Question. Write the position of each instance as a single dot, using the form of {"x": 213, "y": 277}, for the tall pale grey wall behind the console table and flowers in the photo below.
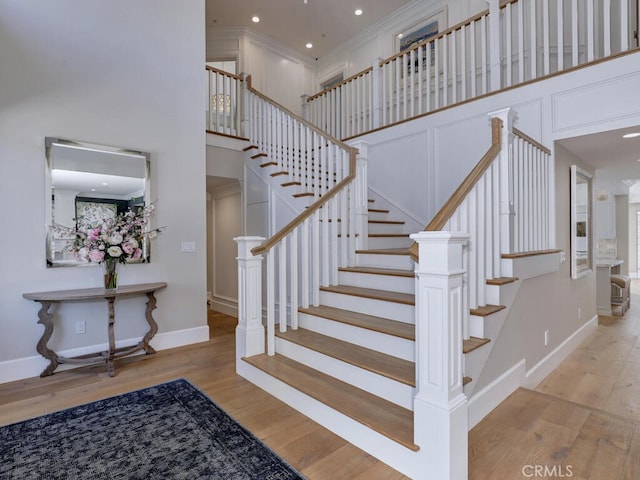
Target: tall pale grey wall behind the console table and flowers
{"x": 116, "y": 73}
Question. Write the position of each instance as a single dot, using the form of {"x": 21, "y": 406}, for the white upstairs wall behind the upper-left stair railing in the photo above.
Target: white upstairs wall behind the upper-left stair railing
{"x": 276, "y": 71}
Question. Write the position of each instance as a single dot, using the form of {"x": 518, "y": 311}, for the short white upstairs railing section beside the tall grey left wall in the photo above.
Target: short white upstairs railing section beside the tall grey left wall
{"x": 224, "y": 102}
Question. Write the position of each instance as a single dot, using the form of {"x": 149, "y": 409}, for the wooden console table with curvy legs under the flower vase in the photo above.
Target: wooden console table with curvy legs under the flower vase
{"x": 47, "y": 299}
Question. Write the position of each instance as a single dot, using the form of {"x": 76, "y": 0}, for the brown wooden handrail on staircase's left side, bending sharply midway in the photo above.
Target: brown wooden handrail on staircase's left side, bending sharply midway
{"x": 315, "y": 206}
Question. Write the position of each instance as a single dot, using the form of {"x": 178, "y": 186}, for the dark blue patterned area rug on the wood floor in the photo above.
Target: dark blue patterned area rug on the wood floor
{"x": 170, "y": 431}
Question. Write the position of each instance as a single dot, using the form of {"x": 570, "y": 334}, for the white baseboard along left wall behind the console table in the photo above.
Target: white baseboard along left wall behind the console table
{"x": 32, "y": 366}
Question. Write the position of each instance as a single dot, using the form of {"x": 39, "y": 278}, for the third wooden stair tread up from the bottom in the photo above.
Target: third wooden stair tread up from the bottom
{"x": 362, "y": 320}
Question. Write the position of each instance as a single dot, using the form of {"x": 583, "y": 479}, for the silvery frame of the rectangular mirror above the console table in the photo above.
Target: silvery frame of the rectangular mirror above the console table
{"x": 97, "y": 148}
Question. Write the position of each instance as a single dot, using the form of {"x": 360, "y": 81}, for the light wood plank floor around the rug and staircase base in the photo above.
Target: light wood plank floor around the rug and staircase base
{"x": 582, "y": 422}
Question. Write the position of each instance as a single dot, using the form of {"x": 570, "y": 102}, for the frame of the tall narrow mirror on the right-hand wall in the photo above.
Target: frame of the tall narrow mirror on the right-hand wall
{"x": 581, "y": 268}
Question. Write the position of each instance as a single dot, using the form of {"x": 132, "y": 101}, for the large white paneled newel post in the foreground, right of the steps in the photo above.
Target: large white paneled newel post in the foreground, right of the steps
{"x": 440, "y": 405}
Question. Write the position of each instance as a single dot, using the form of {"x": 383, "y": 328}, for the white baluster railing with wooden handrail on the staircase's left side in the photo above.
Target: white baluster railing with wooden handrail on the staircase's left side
{"x": 306, "y": 253}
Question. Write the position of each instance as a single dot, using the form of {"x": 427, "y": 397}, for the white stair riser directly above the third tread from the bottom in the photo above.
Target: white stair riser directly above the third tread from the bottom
{"x": 369, "y": 306}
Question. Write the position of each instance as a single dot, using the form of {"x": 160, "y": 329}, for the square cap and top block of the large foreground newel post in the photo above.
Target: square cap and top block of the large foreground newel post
{"x": 440, "y": 252}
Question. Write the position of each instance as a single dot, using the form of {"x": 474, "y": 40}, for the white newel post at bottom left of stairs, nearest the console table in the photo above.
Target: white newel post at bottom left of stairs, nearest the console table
{"x": 250, "y": 331}
